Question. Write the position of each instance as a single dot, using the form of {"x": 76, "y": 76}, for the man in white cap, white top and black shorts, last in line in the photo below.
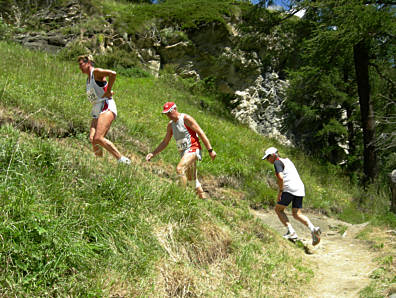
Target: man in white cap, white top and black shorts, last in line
{"x": 291, "y": 189}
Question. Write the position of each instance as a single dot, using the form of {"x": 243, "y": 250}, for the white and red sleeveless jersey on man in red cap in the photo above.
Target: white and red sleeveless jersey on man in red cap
{"x": 186, "y": 138}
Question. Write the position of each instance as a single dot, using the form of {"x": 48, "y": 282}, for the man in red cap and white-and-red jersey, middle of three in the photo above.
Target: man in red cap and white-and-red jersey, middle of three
{"x": 185, "y": 130}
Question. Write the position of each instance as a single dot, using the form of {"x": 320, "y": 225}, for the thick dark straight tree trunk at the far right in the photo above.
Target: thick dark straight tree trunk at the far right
{"x": 361, "y": 59}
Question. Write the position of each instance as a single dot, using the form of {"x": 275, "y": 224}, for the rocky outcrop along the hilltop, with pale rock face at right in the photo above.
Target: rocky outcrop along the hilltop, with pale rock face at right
{"x": 213, "y": 50}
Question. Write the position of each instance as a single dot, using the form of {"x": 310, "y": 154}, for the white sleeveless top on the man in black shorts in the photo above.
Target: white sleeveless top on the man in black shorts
{"x": 292, "y": 182}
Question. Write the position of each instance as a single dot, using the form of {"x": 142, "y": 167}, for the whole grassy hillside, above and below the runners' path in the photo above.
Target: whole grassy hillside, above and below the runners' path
{"x": 75, "y": 225}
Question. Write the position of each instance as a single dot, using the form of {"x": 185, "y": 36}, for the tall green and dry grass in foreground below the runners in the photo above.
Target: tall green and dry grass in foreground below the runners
{"x": 72, "y": 225}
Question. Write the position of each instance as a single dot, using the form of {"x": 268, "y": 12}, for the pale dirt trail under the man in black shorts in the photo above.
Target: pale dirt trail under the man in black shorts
{"x": 342, "y": 264}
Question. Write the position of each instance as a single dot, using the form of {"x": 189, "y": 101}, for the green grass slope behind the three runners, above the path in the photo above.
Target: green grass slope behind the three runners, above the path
{"x": 53, "y": 90}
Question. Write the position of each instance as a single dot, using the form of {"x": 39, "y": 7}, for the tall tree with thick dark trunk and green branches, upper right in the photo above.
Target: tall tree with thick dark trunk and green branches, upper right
{"x": 358, "y": 31}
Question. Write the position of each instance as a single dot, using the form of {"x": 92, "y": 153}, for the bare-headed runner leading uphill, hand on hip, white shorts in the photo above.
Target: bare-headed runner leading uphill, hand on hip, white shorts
{"x": 104, "y": 109}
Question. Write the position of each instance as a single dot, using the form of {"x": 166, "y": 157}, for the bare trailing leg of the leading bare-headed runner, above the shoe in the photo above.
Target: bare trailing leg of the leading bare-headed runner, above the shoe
{"x": 103, "y": 125}
